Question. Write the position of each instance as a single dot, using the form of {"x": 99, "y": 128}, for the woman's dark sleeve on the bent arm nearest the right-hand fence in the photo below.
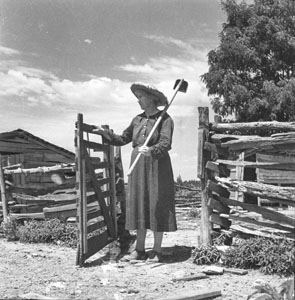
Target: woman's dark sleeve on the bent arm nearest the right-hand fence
{"x": 164, "y": 144}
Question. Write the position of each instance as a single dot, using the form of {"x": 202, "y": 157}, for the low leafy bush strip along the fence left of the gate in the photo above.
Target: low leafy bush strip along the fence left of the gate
{"x": 48, "y": 231}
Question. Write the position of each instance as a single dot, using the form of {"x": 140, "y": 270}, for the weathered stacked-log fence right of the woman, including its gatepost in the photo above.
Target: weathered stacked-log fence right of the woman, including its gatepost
{"x": 256, "y": 148}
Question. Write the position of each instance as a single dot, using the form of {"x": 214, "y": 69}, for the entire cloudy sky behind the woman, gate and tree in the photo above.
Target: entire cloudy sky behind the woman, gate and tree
{"x": 59, "y": 58}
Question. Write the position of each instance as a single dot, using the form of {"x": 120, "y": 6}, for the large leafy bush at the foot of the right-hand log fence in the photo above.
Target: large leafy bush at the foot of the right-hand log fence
{"x": 270, "y": 256}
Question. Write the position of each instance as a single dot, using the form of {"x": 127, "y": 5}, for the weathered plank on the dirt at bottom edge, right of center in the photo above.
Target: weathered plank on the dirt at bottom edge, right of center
{"x": 193, "y": 295}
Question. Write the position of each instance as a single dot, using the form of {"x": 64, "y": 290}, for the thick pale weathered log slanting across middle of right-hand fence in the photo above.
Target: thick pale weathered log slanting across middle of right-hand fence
{"x": 284, "y": 195}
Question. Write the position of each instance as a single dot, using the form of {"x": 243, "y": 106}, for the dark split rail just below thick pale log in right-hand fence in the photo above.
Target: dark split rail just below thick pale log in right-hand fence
{"x": 266, "y": 213}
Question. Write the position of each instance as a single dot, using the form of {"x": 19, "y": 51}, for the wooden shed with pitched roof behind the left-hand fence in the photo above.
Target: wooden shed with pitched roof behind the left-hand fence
{"x": 22, "y": 147}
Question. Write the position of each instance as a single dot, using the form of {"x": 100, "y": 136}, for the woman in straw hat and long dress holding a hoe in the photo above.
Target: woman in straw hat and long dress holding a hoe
{"x": 150, "y": 202}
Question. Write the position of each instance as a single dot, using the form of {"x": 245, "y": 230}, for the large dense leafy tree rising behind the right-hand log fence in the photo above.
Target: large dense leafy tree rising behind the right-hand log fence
{"x": 252, "y": 72}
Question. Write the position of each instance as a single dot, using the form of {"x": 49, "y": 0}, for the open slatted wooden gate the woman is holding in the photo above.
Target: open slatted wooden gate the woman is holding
{"x": 96, "y": 204}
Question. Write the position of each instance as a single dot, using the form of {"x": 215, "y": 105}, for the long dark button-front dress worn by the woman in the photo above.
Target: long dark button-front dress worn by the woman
{"x": 150, "y": 201}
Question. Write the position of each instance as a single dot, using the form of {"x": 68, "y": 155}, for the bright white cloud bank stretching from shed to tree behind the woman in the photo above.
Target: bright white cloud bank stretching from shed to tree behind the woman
{"x": 46, "y": 105}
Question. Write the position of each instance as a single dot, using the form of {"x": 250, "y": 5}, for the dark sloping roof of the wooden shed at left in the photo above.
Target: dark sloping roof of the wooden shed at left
{"x": 21, "y": 141}
